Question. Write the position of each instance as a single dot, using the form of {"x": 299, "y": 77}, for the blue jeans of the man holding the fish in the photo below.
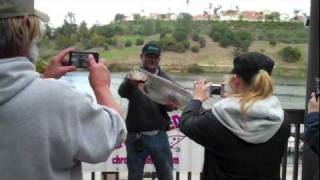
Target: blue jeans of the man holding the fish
{"x": 157, "y": 146}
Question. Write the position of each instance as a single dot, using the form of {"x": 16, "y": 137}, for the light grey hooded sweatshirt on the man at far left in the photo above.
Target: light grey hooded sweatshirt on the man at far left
{"x": 47, "y": 128}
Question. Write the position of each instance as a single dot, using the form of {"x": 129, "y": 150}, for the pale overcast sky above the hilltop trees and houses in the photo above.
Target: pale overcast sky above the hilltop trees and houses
{"x": 103, "y": 11}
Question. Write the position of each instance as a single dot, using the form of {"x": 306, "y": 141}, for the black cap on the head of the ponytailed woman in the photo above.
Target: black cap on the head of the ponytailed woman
{"x": 248, "y": 65}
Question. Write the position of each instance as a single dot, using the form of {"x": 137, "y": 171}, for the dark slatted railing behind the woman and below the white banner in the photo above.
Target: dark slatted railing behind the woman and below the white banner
{"x": 296, "y": 117}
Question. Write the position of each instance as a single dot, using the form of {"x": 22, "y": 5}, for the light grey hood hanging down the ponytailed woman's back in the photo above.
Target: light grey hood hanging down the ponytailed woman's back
{"x": 262, "y": 120}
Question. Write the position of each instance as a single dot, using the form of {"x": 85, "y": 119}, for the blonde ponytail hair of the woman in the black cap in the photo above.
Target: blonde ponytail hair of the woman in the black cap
{"x": 260, "y": 88}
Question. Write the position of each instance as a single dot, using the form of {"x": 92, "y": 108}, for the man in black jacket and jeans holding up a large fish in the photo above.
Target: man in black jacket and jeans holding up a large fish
{"x": 147, "y": 121}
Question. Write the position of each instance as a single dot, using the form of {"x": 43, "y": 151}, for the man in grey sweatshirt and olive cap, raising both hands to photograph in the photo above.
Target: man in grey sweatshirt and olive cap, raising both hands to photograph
{"x": 46, "y": 127}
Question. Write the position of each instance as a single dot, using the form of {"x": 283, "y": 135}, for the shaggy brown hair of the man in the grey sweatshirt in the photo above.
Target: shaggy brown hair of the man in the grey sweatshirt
{"x": 17, "y": 34}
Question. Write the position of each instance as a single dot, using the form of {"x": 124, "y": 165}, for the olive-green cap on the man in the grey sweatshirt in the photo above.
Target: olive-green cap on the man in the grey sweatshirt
{"x": 16, "y": 8}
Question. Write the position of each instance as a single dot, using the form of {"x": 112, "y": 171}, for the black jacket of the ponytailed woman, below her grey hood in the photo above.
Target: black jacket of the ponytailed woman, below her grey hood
{"x": 228, "y": 157}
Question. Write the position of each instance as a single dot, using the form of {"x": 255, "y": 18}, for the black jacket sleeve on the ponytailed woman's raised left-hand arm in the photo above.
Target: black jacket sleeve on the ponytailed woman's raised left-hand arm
{"x": 198, "y": 124}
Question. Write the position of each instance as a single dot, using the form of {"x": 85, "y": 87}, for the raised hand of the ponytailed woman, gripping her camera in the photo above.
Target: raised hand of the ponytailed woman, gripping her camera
{"x": 201, "y": 90}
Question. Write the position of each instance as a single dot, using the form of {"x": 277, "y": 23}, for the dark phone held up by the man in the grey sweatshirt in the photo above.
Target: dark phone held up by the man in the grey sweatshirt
{"x": 79, "y": 59}
